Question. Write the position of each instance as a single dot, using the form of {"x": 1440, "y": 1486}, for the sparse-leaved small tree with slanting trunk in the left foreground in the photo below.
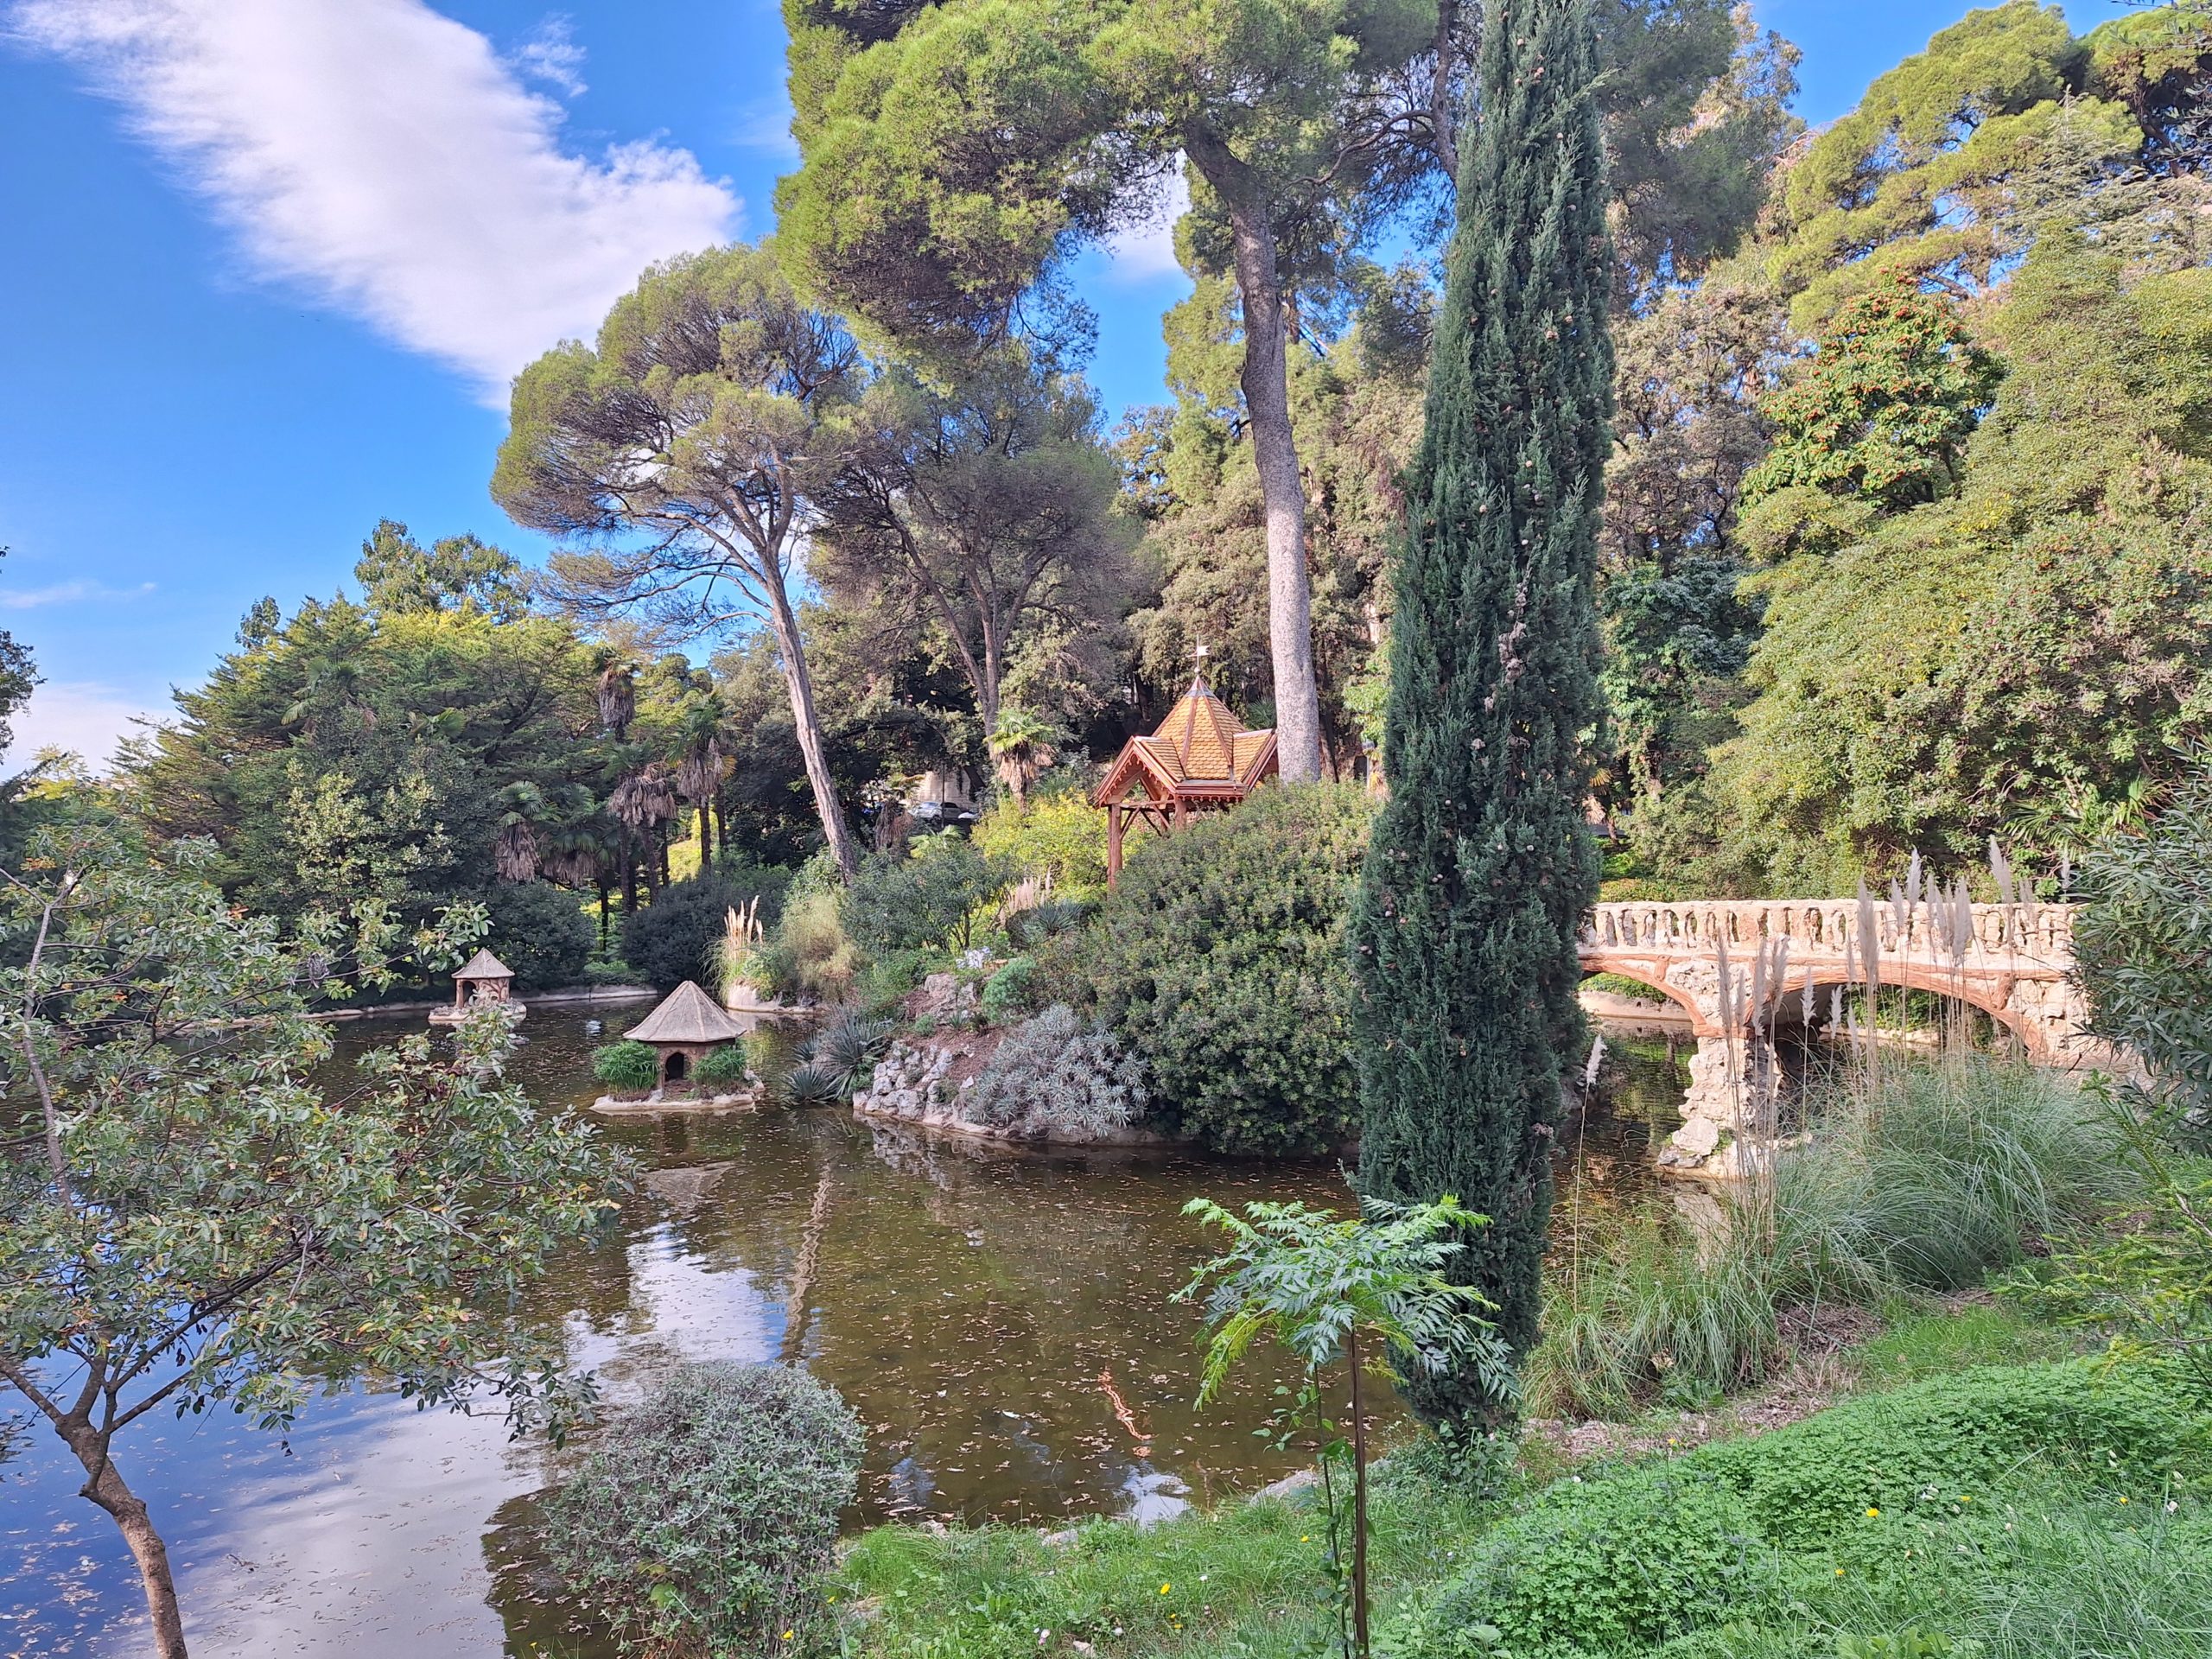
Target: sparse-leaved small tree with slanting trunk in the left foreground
{"x": 194, "y": 1222}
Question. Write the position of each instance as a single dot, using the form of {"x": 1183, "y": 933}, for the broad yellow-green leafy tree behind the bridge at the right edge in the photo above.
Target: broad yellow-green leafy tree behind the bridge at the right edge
{"x": 2023, "y": 656}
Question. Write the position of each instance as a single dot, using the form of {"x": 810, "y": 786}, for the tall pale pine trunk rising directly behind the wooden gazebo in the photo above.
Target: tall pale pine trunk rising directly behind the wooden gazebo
{"x": 1275, "y": 452}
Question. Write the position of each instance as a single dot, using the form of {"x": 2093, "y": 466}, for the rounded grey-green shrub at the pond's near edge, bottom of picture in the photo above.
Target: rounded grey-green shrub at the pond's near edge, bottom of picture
{"x": 707, "y": 1516}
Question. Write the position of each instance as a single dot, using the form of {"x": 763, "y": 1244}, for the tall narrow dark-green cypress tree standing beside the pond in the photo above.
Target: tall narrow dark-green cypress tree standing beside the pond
{"x": 1481, "y": 864}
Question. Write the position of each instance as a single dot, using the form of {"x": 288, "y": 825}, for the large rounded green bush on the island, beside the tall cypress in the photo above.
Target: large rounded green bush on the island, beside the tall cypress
{"x": 1222, "y": 961}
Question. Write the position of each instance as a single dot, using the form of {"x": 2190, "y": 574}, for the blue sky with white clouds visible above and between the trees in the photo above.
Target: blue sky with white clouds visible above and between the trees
{"x": 271, "y": 262}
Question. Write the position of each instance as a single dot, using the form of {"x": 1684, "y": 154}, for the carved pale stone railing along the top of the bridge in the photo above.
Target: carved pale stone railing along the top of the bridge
{"x": 1828, "y": 930}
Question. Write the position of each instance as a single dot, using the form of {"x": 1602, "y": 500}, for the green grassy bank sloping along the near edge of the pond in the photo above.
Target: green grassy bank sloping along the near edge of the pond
{"x": 2027, "y": 1512}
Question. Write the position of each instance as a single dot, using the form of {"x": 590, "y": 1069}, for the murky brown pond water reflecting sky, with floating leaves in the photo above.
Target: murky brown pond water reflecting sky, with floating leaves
{"x": 1003, "y": 1324}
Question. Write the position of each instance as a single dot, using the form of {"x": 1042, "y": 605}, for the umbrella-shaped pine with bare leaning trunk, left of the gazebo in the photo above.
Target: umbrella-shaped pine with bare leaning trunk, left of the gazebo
{"x": 707, "y": 424}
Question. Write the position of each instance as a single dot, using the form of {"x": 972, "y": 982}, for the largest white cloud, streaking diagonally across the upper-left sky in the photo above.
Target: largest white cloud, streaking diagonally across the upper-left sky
{"x": 386, "y": 158}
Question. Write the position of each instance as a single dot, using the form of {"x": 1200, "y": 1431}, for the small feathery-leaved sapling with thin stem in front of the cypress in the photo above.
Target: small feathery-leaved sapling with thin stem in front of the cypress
{"x": 1361, "y": 1293}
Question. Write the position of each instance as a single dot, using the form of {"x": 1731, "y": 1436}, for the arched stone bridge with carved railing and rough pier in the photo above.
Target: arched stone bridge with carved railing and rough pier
{"x": 1740, "y": 972}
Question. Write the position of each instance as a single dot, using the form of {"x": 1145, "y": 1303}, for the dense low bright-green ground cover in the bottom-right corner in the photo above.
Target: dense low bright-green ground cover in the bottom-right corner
{"x": 1791, "y": 1530}
